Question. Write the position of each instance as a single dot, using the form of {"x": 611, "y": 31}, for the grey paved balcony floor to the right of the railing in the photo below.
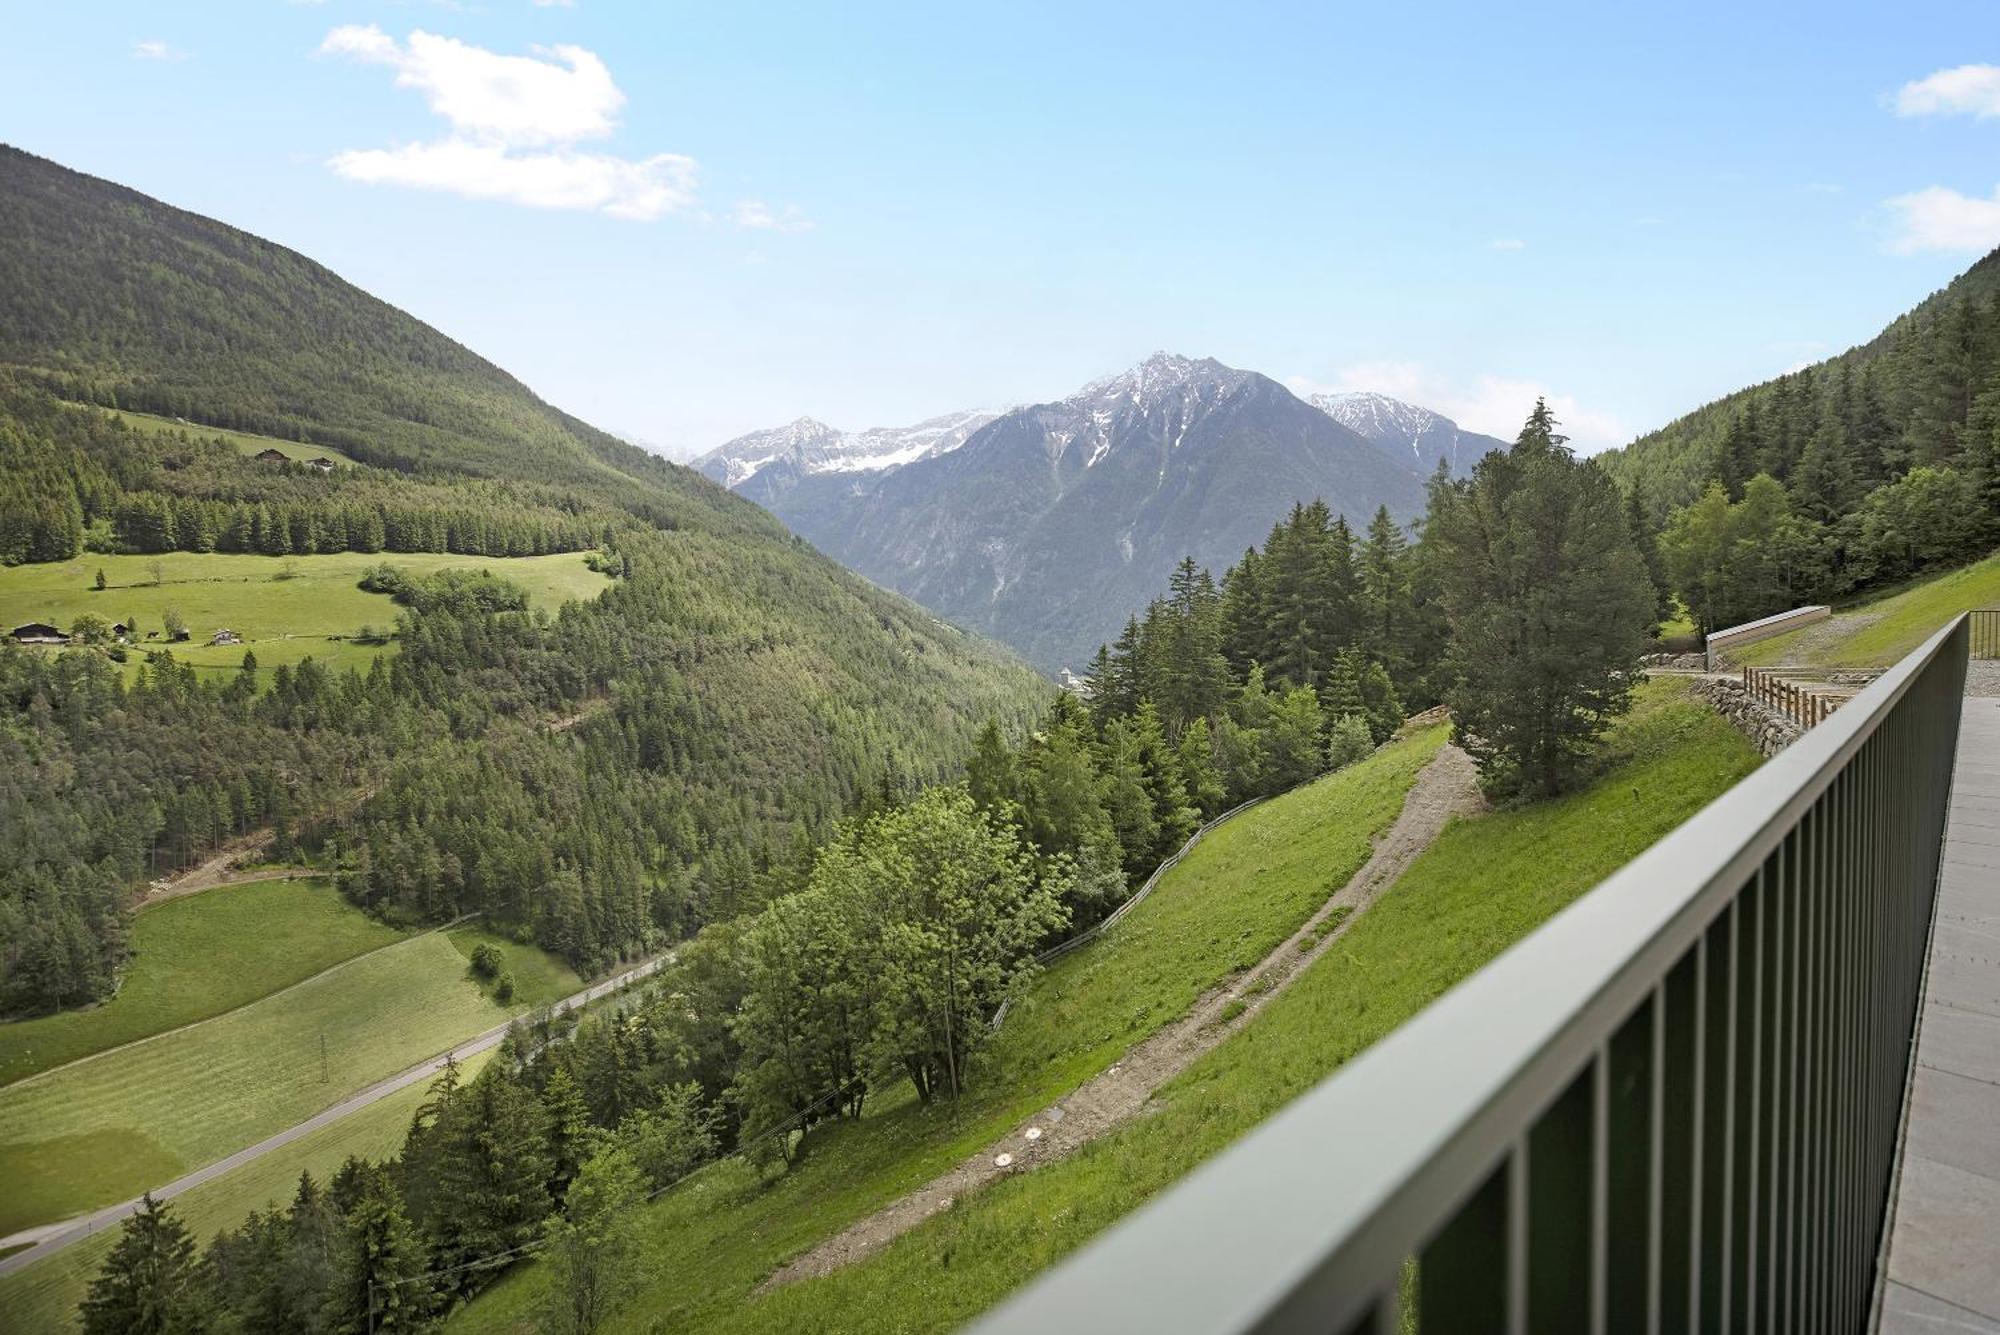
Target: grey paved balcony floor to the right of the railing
{"x": 1945, "y": 1240}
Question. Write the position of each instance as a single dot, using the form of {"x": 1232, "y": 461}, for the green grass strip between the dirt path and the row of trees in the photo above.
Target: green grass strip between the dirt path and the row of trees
{"x": 1229, "y": 904}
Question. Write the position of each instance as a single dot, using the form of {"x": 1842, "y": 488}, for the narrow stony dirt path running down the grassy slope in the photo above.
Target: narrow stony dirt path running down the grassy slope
{"x": 1447, "y": 786}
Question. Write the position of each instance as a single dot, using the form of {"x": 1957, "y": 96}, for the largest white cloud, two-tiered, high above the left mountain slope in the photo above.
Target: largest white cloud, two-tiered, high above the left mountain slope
{"x": 515, "y": 125}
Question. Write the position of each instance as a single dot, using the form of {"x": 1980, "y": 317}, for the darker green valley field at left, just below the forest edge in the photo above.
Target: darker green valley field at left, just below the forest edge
{"x": 273, "y": 934}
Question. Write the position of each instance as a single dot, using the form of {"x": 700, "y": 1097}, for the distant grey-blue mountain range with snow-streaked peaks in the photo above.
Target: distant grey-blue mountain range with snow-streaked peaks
{"x": 1049, "y": 525}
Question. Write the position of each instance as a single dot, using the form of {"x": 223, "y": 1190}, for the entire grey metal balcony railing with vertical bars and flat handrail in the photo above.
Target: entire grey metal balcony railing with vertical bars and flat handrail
{"x": 1673, "y": 1108}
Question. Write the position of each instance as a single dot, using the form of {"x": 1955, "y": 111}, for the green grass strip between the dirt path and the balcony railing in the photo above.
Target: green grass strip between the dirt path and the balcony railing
{"x": 1483, "y": 886}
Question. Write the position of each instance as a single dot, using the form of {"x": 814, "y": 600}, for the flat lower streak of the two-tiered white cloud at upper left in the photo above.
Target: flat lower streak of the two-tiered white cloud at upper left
{"x": 591, "y": 183}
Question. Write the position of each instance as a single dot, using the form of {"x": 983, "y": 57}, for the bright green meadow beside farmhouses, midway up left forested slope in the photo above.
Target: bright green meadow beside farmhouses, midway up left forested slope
{"x": 285, "y": 607}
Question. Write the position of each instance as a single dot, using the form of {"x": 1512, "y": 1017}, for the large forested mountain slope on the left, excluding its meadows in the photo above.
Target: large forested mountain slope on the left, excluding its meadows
{"x": 729, "y": 698}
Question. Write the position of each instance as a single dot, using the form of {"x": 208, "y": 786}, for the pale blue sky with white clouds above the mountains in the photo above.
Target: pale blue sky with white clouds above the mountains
{"x": 685, "y": 223}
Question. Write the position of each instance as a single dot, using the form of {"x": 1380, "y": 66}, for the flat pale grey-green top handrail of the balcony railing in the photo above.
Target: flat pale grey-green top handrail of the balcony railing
{"x": 1297, "y": 1224}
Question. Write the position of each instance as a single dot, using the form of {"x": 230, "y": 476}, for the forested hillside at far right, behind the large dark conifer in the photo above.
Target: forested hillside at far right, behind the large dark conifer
{"x": 1839, "y": 479}
